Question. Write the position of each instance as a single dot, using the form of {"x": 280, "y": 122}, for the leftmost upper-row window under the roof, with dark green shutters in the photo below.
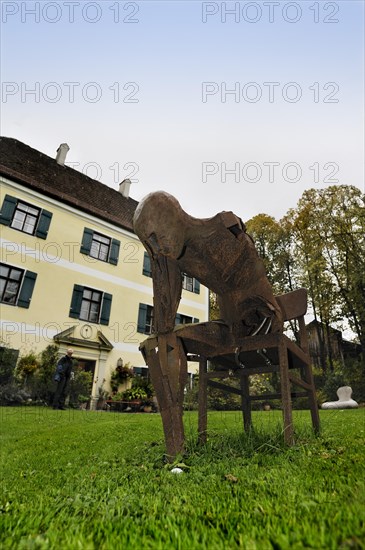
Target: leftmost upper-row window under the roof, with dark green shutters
{"x": 25, "y": 217}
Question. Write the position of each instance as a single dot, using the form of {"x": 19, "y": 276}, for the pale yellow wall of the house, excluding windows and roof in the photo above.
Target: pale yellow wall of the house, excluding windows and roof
{"x": 59, "y": 266}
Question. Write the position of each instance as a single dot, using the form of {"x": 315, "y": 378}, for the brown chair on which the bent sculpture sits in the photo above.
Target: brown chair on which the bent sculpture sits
{"x": 261, "y": 354}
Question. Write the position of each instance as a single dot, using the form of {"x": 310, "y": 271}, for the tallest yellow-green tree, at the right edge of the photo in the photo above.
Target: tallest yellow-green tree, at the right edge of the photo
{"x": 329, "y": 229}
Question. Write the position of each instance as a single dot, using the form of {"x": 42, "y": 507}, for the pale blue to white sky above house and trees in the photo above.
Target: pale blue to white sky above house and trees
{"x": 226, "y": 105}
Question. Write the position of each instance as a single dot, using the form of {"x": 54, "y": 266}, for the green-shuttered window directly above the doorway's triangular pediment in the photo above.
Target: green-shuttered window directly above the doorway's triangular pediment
{"x": 90, "y": 305}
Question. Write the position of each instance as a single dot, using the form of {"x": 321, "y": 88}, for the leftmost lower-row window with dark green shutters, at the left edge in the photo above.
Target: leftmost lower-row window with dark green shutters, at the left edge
{"x": 16, "y": 285}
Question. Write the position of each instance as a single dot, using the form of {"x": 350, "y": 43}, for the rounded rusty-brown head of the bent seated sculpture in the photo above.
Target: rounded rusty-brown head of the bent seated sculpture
{"x": 160, "y": 223}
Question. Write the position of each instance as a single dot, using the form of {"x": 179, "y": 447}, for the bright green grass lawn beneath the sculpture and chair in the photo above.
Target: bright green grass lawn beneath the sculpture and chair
{"x": 98, "y": 480}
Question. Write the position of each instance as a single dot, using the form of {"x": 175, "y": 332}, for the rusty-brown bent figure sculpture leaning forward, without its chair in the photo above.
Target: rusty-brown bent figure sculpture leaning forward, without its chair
{"x": 222, "y": 256}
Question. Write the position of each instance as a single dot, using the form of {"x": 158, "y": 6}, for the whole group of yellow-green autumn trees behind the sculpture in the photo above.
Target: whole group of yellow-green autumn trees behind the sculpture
{"x": 320, "y": 245}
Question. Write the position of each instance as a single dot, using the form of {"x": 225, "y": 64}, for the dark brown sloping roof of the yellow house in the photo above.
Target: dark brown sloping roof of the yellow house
{"x": 42, "y": 173}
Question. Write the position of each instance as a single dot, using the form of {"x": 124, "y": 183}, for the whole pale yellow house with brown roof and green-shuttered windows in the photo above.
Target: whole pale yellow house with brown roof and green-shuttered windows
{"x": 72, "y": 270}
